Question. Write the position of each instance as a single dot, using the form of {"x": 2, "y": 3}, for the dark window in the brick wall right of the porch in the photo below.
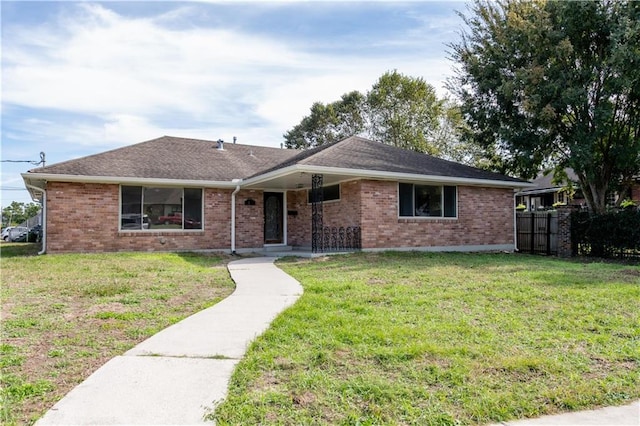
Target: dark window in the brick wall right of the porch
{"x": 427, "y": 200}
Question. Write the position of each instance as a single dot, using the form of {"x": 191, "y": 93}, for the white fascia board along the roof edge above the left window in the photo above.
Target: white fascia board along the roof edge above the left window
{"x": 46, "y": 177}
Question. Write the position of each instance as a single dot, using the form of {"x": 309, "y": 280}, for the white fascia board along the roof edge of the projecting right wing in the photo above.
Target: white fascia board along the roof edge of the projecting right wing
{"x": 376, "y": 174}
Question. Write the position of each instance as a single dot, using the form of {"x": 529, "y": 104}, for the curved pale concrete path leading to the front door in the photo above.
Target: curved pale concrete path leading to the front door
{"x": 177, "y": 375}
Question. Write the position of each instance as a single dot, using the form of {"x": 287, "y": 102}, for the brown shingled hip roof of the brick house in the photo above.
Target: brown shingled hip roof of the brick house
{"x": 192, "y": 161}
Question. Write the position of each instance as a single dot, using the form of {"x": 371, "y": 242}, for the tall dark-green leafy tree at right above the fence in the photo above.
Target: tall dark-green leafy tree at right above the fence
{"x": 552, "y": 84}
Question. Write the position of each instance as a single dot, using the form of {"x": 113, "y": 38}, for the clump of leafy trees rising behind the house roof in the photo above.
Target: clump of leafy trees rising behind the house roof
{"x": 398, "y": 110}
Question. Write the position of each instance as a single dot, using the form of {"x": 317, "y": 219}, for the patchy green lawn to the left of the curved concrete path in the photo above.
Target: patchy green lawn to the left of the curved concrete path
{"x": 63, "y": 316}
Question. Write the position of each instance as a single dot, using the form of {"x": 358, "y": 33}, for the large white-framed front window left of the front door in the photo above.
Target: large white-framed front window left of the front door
{"x": 160, "y": 208}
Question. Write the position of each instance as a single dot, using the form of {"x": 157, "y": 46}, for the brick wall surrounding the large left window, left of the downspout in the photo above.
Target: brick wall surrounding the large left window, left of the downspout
{"x": 85, "y": 218}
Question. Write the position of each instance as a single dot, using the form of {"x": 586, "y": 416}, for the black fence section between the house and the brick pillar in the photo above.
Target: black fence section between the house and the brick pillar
{"x": 537, "y": 232}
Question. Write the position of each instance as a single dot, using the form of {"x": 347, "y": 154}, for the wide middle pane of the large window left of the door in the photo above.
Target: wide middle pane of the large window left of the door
{"x": 163, "y": 206}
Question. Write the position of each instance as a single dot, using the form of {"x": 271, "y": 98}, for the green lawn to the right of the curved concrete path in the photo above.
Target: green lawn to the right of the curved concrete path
{"x": 439, "y": 339}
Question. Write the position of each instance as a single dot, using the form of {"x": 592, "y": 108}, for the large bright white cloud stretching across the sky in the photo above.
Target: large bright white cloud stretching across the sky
{"x": 138, "y": 76}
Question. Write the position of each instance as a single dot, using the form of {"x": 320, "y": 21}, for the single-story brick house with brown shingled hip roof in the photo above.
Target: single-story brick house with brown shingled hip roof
{"x": 171, "y": 194}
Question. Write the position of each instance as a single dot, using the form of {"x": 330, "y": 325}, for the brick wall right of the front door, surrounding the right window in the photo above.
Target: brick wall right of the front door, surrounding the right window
{"x": 485, "y": 217}
